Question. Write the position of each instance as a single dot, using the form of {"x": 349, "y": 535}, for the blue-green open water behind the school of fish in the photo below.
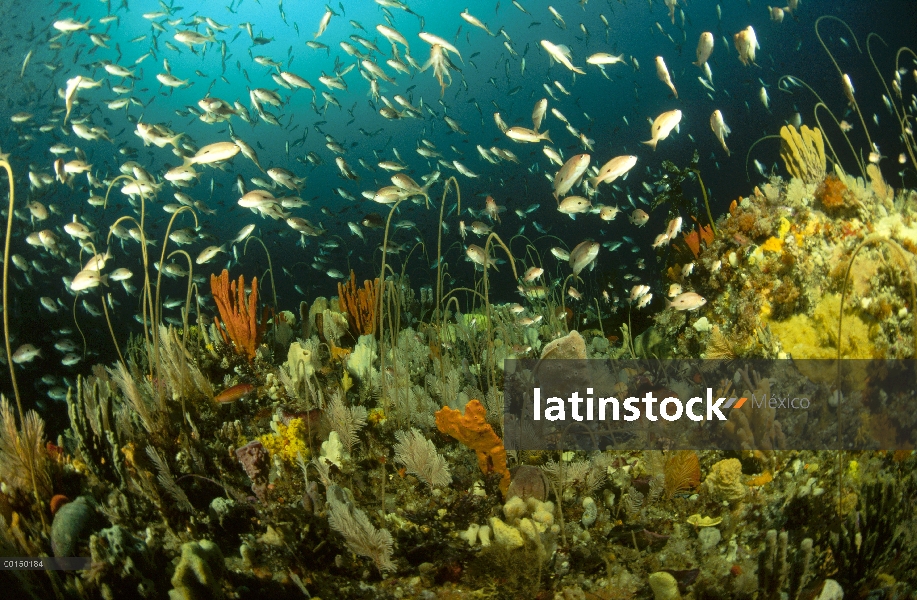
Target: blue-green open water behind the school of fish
{"x": 613, "y": 112}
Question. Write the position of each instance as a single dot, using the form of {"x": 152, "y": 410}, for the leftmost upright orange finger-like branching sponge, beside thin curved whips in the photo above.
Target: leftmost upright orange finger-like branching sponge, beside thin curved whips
{"x": 239, "y": 326}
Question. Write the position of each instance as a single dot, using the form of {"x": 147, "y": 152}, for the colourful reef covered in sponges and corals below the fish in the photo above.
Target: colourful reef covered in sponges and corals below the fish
{"x": 337, "y": 462}
